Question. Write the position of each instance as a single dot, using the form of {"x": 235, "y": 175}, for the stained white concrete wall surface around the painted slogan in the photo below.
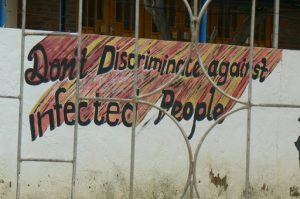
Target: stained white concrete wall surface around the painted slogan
{"x": 161, "y": 154}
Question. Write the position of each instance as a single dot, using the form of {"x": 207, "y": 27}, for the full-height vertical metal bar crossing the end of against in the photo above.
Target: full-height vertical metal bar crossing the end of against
{"x": 249, "y": 115}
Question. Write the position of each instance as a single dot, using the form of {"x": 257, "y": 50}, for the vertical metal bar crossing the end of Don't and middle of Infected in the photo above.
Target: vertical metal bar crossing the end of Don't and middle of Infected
{"x": 77, "y": 100}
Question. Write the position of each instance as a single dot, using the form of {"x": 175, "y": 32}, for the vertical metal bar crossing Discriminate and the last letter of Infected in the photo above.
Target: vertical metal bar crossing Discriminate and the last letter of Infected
{"x": 135, "y": 88}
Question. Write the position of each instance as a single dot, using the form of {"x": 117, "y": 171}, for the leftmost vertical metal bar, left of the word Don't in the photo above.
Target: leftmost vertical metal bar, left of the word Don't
{"x": 21, "y": 99}
